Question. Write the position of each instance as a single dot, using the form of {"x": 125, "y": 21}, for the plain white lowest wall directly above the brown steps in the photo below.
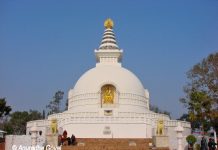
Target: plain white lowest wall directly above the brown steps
{"x": 114, "y": 130}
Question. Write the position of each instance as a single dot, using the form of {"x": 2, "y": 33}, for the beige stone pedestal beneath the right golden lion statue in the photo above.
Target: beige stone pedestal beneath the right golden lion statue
{"x": 160, "y": 141}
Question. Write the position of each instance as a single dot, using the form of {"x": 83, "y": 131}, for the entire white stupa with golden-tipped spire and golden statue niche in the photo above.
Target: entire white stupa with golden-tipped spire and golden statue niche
{"x": 109, "y": 101}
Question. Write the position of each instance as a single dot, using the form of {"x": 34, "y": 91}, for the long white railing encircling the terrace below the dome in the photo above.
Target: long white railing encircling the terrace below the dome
{"x": 124, "y": 117}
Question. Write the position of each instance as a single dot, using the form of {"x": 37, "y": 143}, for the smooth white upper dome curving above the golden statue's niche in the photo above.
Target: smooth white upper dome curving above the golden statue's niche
{"x": 124, "y": 80}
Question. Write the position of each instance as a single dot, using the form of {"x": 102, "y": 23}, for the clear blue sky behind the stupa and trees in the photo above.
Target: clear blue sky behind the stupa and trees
{"x": 46, "y": 46}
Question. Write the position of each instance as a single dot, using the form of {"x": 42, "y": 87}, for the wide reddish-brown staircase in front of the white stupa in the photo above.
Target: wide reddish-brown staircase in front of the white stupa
{"x": 112, "y": 144}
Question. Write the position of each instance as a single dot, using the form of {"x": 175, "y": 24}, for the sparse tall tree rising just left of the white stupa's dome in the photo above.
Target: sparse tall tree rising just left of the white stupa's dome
{"x": 54, "y": 104}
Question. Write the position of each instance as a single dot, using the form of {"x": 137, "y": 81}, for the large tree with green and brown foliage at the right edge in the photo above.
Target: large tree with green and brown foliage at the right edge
{"x": 202, "y": 92}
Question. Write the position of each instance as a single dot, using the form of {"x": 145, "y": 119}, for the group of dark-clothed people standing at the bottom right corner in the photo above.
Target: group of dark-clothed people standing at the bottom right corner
{"x": 211, "y": 145}
